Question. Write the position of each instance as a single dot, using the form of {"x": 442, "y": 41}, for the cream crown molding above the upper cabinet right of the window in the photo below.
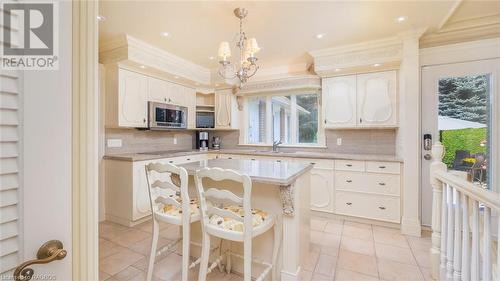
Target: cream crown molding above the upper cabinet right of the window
{"x": 386, "y": 51}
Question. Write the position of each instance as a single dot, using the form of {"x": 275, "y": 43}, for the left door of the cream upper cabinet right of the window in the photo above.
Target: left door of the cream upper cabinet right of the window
{"x": 339, "y": 101}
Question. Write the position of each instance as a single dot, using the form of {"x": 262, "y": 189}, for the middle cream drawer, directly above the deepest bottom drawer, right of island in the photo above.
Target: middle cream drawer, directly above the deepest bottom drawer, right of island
{"x": 368, "y": 182}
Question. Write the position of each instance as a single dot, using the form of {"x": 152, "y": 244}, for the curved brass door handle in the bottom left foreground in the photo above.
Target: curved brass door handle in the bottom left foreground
{"x": 48, "y": 252}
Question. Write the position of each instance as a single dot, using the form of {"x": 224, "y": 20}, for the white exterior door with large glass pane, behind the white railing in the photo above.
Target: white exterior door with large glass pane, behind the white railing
{"x": 460, "y": 108}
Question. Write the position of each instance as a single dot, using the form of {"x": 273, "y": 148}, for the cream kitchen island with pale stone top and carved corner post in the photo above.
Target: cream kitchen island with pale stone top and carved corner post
{"x": 278, "y": 187}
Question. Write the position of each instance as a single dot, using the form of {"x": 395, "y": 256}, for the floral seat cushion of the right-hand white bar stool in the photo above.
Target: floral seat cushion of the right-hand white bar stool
{"x": 258, "y": 218}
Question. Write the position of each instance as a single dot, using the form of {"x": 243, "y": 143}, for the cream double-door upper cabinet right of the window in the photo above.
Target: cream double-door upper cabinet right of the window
{"x": 360, "y": 101}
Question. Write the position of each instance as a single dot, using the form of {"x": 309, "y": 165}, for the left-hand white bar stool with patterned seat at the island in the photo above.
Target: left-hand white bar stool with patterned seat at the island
{"x": 170, "y": 203}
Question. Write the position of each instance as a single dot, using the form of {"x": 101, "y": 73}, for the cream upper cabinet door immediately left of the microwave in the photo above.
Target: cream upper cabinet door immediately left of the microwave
{"x": 133, "y": 91}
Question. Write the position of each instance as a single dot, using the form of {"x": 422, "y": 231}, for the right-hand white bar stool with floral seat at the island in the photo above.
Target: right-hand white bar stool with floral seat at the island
{"x": 227, "y": 216}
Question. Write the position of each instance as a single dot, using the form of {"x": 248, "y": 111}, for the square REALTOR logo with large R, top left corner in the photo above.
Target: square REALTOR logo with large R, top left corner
{"x": 29, "y": 36}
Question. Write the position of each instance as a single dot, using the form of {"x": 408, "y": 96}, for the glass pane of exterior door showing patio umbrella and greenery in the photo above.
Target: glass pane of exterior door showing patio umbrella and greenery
{"x": 464, "y": 125}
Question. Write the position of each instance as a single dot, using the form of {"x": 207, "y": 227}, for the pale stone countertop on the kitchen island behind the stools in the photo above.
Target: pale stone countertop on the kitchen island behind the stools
{"x": 261, "y": 171}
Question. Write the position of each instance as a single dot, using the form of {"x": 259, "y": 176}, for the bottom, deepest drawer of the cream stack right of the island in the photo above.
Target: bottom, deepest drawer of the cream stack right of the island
{"x": 378, "y": 207}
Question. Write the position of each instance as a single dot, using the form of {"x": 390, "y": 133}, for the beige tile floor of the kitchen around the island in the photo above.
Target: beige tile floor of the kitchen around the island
{"x": 340, "y": 251}
